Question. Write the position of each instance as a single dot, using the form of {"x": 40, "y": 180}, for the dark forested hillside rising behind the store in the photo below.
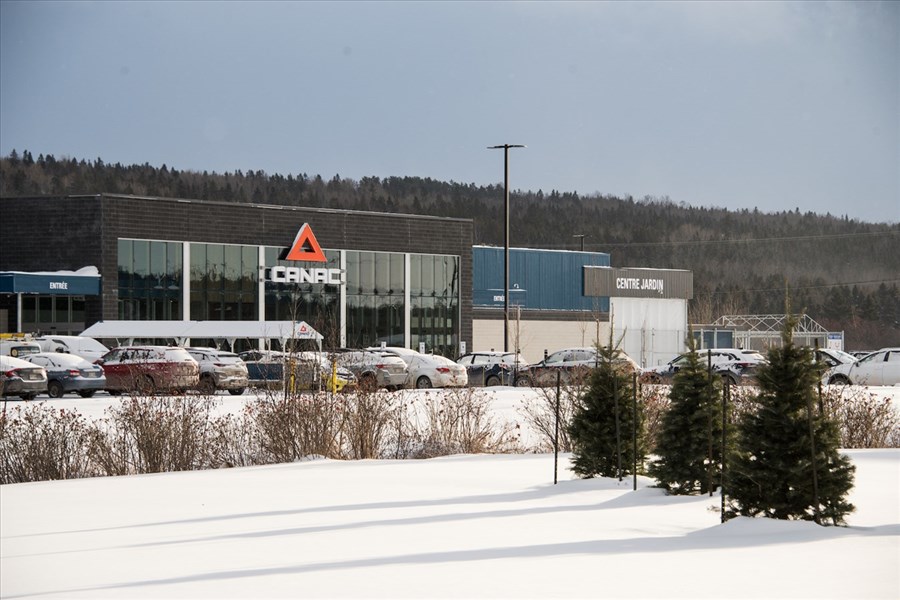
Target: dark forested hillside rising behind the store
{"x": 844, "y": 273}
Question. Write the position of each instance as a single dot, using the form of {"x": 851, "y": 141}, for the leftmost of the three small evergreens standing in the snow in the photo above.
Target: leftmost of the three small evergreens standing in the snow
{"x": 601, "y": 428}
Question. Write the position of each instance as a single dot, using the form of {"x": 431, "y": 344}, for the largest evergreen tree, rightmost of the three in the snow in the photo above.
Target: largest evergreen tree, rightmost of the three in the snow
{"x": 787, "y": 465}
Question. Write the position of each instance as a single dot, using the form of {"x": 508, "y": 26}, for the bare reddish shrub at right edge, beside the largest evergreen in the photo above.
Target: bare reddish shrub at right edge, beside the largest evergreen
{"x": 865, "y": 420}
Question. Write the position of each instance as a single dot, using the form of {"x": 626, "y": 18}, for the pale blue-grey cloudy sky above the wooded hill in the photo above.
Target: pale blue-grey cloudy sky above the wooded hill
{"x": 773, "y": 105}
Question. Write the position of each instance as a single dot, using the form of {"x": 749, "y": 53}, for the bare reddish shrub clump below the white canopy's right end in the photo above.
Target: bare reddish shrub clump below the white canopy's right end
{"x": 293, "y": 426}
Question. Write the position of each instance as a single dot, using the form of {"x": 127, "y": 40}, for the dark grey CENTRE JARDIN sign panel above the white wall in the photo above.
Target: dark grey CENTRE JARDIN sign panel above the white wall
{"x": 638, "y": 283}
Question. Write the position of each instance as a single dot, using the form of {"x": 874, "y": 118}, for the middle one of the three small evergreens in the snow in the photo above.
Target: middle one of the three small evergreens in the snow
{"x": 689, "y": 444}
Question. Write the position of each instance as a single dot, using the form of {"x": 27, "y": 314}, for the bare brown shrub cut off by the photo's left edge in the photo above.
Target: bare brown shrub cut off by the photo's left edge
{"x": 38, "y": 443}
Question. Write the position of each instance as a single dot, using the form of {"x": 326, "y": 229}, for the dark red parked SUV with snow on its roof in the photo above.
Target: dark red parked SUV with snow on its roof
{"x": 149, "y": 369}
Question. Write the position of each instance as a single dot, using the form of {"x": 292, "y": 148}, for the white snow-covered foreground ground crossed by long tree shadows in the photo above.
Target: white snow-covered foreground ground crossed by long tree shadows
{"x": 453, "y": 527}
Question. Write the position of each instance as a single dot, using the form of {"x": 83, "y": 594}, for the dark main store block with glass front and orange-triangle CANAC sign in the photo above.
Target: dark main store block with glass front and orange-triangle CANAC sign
{"x": 359, "y": 278}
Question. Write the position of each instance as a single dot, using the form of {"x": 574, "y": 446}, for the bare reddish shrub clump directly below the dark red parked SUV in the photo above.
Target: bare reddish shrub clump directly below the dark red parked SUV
{"x": 153, "y": 434}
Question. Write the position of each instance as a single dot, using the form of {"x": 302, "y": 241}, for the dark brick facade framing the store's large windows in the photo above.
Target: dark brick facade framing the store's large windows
{"x": 71, "y": 232}
